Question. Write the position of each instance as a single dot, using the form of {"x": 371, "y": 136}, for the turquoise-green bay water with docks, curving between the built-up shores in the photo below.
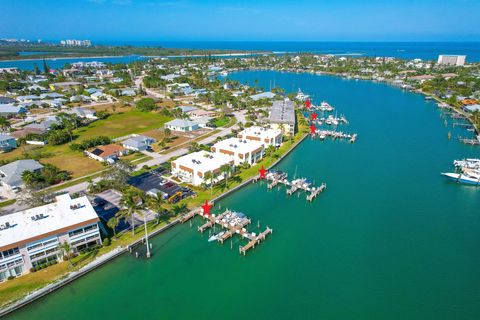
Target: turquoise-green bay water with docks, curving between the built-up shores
{"x": 389, "y": 239}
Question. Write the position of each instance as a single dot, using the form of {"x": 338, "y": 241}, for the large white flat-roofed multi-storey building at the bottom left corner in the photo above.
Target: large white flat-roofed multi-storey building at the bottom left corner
{"x": 32, "y": 238}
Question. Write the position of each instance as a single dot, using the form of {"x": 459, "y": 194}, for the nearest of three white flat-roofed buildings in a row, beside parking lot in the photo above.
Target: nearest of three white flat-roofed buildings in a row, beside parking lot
{"x": 192, "y": 168}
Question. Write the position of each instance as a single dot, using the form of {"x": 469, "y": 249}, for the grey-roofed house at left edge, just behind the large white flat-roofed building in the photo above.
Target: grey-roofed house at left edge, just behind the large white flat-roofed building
{"x": 11, "y": 173}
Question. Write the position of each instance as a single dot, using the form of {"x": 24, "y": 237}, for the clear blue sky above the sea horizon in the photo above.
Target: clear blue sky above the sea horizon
{"x": 259, "y": 20}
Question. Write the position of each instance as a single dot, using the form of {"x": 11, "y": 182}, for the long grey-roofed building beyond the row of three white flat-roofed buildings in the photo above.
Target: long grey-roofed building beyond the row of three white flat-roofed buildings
{"x": 282, "y": 116}
